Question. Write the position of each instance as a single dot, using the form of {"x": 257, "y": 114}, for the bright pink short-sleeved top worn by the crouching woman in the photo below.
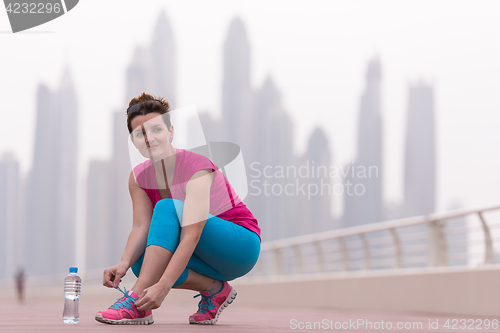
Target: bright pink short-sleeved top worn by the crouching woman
{"x": 224, "y": 202}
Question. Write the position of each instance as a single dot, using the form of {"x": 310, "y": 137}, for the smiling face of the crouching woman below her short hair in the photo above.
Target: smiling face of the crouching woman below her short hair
{"x": 151, "y": 136}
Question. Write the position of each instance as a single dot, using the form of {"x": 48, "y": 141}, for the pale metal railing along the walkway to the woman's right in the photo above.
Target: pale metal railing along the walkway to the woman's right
{"x": 441, "y": 239}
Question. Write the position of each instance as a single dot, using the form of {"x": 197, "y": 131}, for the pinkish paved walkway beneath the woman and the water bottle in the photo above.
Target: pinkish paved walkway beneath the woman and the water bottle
{"x": 43, "y": 312}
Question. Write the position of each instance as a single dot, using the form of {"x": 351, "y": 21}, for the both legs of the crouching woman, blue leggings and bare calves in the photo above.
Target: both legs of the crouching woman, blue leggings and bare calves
{"x": 224, "y": 252}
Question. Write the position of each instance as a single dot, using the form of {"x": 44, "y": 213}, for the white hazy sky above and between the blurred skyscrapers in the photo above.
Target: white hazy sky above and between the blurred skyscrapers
{"x": 316, "y": 52}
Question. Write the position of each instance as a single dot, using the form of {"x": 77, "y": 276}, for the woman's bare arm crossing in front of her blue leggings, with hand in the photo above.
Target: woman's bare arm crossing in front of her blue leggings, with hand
{"x": 195, "y": 214}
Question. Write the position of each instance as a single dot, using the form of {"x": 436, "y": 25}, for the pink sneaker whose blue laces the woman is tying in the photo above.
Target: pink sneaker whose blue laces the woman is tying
{"x": 124, "y": 312}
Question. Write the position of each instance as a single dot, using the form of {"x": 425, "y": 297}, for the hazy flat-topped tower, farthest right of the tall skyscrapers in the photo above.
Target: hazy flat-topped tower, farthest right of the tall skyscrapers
{"x": 420, "y": 152}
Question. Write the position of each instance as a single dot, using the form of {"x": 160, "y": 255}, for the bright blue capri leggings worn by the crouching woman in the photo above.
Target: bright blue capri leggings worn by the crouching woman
{"x": 224, "y": 252}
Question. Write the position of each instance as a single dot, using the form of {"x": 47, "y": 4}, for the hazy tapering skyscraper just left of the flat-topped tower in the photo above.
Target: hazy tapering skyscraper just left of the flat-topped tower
{"x": 364, "y": 203}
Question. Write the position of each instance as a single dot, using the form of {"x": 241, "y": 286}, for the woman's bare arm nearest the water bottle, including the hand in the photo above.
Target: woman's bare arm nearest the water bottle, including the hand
{"x": 137, "y": 239}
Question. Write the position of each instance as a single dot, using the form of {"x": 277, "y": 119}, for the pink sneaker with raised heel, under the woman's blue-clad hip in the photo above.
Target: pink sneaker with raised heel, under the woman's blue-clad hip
{"x": 211, "y": 306}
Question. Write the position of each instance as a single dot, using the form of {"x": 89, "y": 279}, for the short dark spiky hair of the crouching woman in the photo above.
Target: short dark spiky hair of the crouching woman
{"x": 149, "y": 103}
